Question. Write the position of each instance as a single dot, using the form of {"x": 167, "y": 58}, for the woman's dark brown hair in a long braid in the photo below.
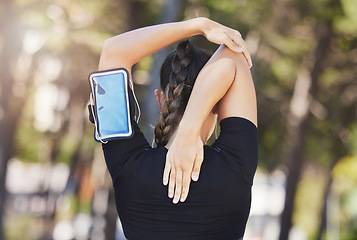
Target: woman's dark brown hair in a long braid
{"x": 177, "y": 78}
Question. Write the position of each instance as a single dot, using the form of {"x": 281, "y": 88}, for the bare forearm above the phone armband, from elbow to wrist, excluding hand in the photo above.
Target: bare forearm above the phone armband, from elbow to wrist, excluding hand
{"x": 128, "y": 48}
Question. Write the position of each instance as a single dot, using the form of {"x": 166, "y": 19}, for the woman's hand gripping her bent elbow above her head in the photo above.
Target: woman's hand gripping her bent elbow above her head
{"x": 220, "y": 34}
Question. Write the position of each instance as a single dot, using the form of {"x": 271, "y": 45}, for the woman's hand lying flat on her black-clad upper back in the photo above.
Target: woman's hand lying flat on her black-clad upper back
{"x": 183, "y": 163}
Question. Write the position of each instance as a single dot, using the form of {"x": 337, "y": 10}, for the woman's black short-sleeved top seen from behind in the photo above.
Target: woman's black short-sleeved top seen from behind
{"x": 218, "y": 204}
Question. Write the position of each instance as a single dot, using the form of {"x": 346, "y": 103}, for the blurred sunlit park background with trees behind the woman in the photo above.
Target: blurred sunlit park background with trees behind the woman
{"x": 53, "y": 178}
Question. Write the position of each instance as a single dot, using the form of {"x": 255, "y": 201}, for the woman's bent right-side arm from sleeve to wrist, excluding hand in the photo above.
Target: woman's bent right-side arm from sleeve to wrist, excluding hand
{"x": 225, "y": 80}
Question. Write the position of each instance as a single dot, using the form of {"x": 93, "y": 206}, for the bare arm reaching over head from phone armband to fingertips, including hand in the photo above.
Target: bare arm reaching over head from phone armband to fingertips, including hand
{"x": 126, "y": 49}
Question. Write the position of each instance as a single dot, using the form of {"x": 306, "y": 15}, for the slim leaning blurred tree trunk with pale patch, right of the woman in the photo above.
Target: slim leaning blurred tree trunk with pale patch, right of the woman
{"x": 299, "y": 122}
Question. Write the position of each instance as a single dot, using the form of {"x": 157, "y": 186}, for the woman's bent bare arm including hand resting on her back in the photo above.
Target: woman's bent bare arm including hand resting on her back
{"x": 226, "y": 81}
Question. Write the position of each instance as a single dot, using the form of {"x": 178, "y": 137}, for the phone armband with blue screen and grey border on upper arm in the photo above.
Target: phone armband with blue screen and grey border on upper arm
{"x": 111, "y": 104}
